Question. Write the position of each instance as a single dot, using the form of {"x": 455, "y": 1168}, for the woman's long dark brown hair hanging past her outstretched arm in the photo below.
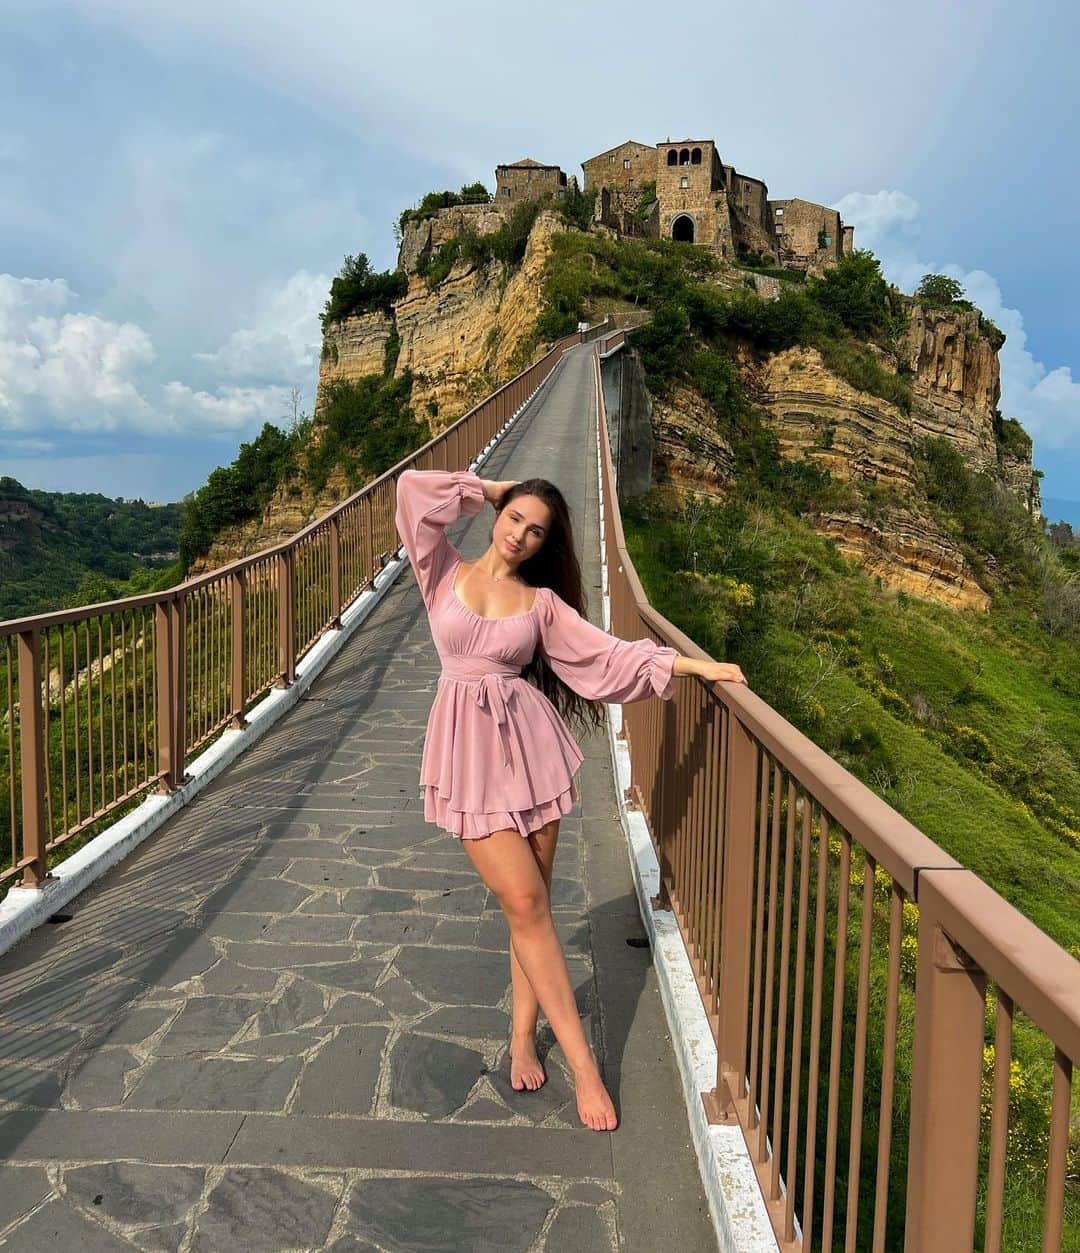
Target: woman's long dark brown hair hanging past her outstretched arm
{"x": 556, "y": 566}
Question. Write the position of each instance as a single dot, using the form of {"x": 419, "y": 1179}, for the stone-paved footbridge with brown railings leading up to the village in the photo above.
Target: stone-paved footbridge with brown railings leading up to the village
{"x": 280, "y": 1021}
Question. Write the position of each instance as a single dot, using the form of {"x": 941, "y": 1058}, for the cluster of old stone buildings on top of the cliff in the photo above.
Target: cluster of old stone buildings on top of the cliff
{"x": 683, "y": 191}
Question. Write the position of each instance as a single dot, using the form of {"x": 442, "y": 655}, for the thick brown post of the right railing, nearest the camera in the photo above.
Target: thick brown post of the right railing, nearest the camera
{"x": 947, "y": 1076}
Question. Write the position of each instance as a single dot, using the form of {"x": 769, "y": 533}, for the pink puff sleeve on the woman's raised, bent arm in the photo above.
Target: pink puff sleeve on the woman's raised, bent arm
{"x": 428, "y": 503}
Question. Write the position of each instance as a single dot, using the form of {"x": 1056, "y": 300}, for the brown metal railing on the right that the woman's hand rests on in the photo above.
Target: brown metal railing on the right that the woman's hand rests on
{"x": 861, "y": 985}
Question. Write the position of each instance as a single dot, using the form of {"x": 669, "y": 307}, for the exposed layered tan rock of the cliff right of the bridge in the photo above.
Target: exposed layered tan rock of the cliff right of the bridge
{"x": 863, "y": 439}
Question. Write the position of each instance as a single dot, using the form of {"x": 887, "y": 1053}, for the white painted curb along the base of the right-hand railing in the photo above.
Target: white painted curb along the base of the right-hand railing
{"x": 736, "y": 1204}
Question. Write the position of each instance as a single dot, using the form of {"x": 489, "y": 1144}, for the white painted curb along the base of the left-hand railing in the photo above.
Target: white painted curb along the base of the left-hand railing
{"x": 28, "y": 908}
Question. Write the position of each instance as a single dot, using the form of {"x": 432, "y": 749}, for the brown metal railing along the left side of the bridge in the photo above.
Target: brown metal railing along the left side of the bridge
{"x": 102, "y": 704}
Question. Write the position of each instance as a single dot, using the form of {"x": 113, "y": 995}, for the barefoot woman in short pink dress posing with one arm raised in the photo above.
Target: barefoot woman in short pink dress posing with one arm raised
{"x": 498, "y": 766}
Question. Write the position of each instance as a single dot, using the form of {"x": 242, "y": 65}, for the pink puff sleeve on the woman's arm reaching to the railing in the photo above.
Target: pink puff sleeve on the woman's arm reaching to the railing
{"x": 597, "y": 665}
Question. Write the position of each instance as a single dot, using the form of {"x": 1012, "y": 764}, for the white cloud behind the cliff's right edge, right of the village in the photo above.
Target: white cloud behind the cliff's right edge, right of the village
{"x": 1046, "y": 400}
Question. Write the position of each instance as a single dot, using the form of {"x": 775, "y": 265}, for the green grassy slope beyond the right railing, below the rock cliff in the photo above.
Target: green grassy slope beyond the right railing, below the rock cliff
{"x": 937, "y": 653}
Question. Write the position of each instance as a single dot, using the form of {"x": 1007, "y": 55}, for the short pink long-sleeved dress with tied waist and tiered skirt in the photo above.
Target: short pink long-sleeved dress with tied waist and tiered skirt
{"x": 497, "y": 755}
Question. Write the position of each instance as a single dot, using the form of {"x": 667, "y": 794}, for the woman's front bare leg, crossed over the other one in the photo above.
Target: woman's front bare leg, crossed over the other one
{"x": 508, "y": 866}
